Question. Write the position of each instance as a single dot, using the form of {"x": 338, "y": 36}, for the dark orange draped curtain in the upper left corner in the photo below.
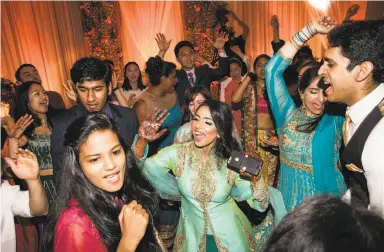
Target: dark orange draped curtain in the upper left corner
{"x": 45, "y": 34}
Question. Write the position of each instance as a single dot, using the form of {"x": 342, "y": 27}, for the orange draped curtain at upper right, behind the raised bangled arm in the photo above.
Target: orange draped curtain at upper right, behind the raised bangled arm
{"x": 292, "y": 15}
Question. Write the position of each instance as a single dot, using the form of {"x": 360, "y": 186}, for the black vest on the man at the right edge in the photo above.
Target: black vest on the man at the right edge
{"x": 353, "y": 169}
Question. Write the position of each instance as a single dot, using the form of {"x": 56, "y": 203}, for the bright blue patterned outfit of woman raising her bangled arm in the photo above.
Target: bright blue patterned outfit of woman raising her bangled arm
{"x": 308, "y": 160}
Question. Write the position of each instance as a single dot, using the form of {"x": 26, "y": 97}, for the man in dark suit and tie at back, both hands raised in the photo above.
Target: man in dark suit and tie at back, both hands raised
{"x": 189, "y": 75}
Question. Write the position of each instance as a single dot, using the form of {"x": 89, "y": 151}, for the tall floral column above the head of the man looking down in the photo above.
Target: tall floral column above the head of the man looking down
{"x": 100, "y": 30}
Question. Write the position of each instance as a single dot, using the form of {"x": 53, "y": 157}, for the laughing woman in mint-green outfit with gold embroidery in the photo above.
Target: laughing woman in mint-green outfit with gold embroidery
{"x": 210, "y": 220}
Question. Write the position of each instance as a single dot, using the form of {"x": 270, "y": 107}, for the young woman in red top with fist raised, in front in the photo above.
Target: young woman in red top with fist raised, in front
{"x": 103, "y": 203}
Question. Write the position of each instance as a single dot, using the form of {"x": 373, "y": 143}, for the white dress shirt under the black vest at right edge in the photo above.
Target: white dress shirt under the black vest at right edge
{"x": 373, "y": 152}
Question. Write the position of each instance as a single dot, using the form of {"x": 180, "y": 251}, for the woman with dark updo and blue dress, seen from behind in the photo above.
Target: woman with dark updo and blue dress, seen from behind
{"x": 161, "y": 96}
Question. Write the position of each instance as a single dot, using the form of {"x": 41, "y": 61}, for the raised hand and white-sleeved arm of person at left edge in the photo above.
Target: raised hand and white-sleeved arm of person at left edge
{"x": 14, "y": 202}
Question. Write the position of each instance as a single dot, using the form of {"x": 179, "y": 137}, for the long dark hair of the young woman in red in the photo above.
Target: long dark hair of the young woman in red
{"x": 100, "y": 206}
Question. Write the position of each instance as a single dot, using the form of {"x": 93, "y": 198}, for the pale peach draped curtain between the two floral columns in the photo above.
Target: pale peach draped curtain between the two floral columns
{"x": 140, "y": 23}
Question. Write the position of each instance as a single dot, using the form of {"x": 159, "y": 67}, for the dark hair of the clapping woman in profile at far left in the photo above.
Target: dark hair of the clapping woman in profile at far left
{"x": 22, "y": 107}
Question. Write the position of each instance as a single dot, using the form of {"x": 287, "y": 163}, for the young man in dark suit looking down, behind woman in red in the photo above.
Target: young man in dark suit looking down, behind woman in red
{"x": 92, "y": 78}
